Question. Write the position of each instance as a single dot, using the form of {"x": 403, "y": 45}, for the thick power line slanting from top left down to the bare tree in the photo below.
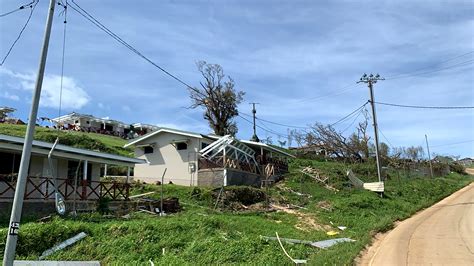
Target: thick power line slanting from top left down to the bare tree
{"x": 101, "y": 26}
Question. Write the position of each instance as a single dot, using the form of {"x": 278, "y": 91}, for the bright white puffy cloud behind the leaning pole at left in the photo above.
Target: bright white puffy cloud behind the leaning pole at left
{"x": 73, "y": 96}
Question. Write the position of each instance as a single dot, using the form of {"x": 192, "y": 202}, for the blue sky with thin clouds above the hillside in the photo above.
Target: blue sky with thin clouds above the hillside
{"x": 284, "y": 54}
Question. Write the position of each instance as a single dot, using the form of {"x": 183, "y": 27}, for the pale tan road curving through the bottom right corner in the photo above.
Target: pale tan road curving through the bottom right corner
{"x": 440, "y": 235}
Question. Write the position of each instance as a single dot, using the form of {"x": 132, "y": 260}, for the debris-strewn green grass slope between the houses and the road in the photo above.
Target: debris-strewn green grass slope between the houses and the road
{"x": 200, "y": 235}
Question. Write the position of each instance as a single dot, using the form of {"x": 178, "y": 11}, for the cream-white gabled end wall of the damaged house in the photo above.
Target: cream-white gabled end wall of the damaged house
{"x": 165, "y": 155}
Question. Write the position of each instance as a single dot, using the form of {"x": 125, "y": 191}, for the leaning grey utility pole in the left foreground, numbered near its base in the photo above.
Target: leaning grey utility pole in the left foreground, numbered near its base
{"x": 14, "y": 226}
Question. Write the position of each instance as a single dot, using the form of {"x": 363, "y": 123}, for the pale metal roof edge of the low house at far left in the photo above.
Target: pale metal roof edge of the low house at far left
{"x": 71, "y": 150}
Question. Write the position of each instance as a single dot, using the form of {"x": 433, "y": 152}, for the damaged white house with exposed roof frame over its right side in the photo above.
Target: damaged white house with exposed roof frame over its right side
{"x": 194, "y": 159}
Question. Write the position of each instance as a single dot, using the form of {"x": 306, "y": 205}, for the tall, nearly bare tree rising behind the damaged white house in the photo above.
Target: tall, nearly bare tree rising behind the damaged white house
{"x": 218, "y": 98}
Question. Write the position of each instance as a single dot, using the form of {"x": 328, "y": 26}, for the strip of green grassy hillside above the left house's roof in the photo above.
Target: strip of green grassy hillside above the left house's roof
{"x": 89, "y": 141}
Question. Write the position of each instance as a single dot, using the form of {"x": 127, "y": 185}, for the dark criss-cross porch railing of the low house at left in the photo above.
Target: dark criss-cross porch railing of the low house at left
{"x": 42, "y": 188}
